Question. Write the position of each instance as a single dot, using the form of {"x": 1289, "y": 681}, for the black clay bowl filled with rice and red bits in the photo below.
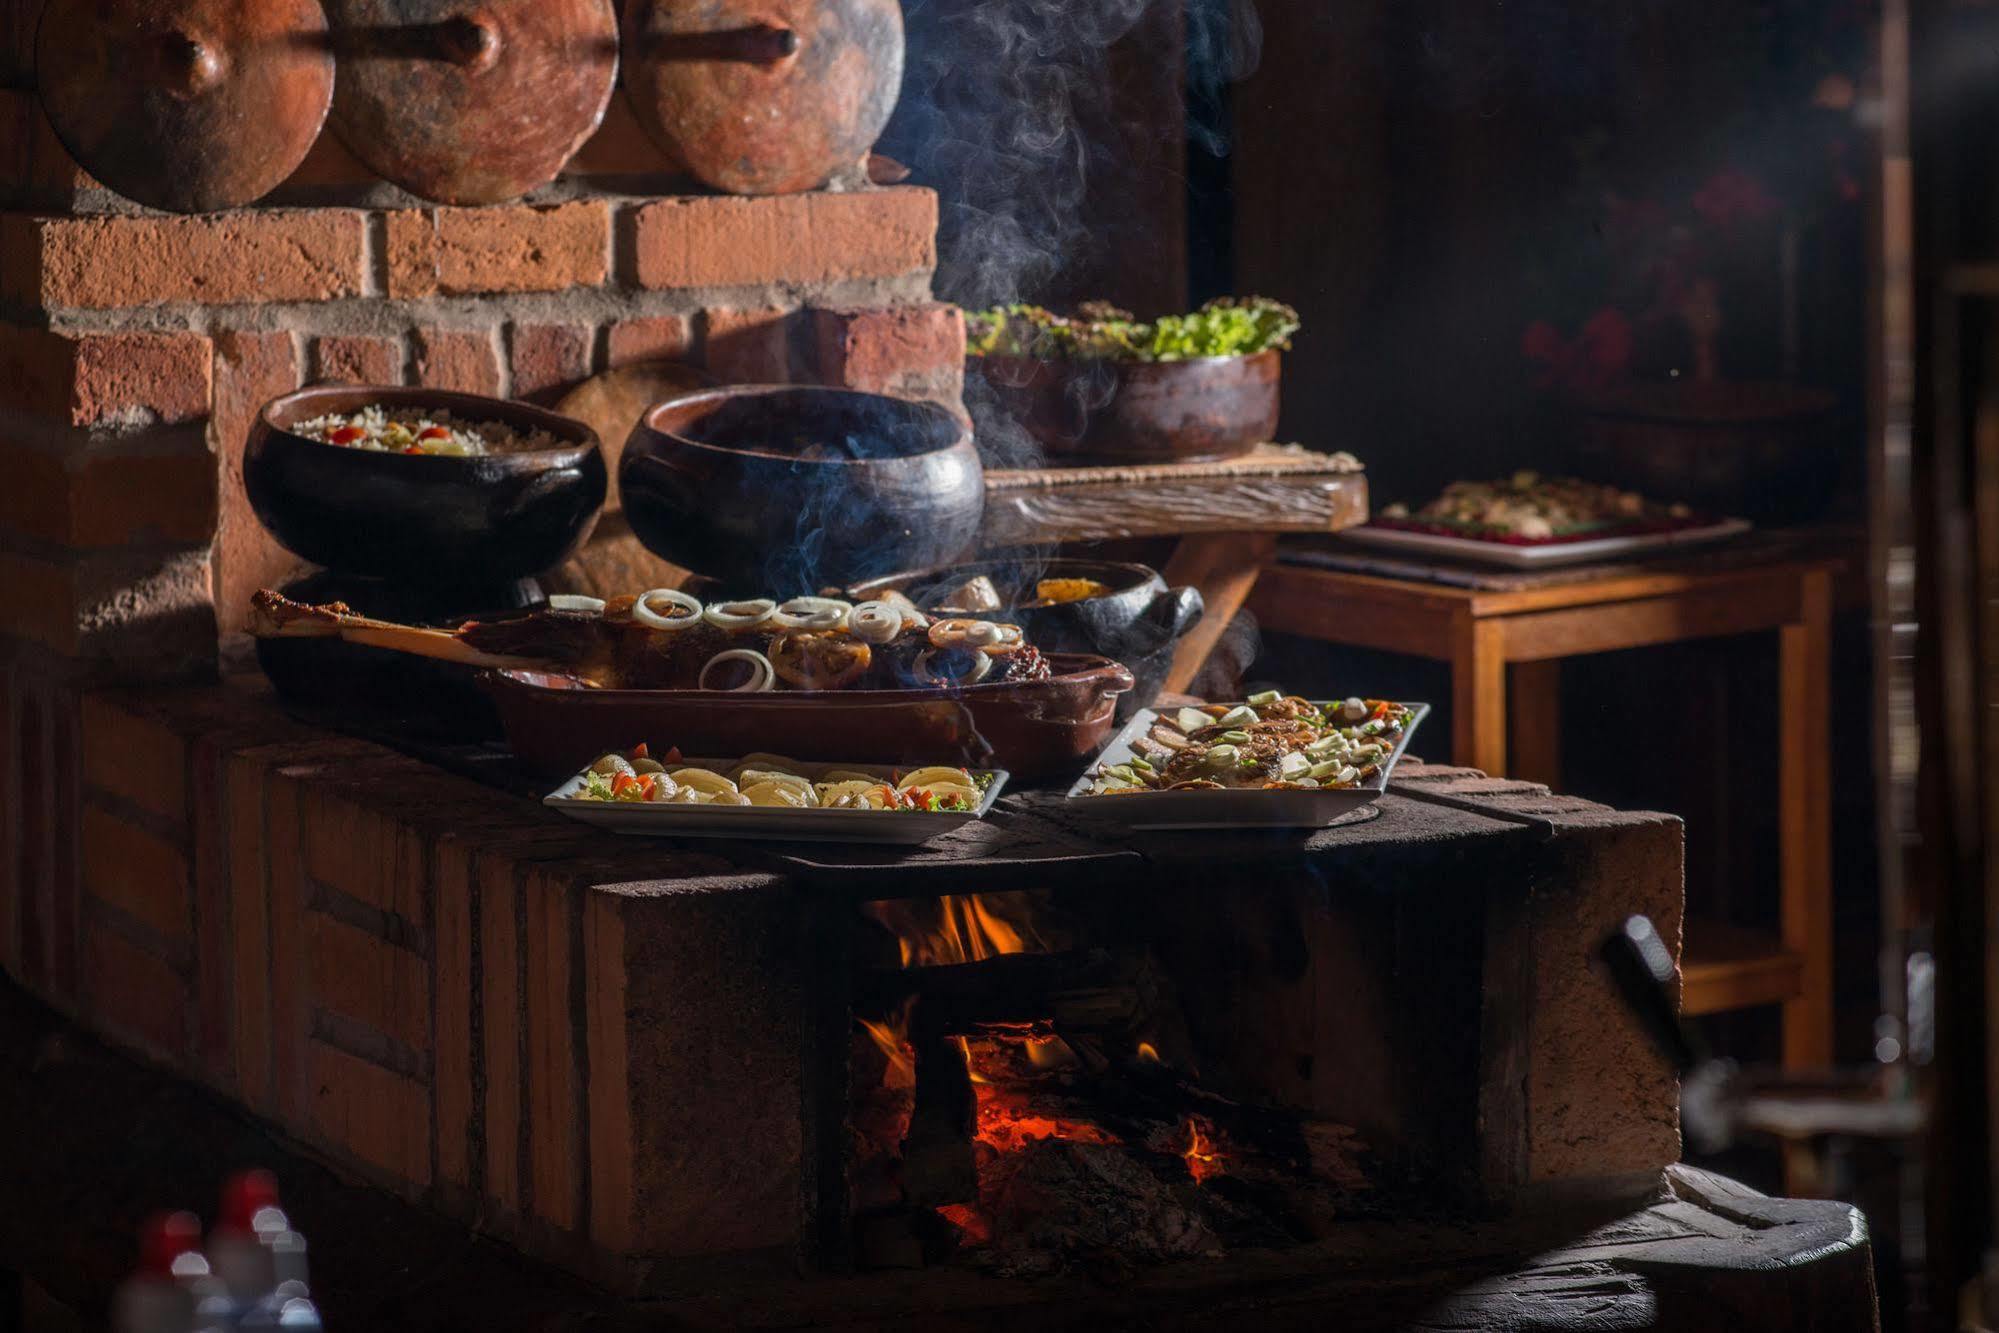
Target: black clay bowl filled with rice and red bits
{"x": 423, "y": 487}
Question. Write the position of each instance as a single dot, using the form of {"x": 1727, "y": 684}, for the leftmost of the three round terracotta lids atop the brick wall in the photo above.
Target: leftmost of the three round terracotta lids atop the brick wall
{"x": 187, "y": 105}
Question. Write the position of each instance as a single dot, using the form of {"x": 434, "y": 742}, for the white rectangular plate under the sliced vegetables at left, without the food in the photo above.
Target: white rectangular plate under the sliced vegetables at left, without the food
{"x": 827, "y": 826}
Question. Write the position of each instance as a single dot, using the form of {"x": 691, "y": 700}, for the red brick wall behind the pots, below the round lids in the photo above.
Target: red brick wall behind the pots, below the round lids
{"x": 137, "y": 347}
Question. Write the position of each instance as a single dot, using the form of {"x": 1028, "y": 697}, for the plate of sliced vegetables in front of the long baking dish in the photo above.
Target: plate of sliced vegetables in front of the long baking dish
{"x": 773, "y": 796}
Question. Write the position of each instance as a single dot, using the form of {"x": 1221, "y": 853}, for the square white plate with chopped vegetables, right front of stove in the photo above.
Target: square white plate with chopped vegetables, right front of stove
{"x": 1272, "y": 760}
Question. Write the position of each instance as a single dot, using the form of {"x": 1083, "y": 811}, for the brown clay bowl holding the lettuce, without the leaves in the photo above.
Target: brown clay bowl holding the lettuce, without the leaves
{"x": 1138, "y": 413}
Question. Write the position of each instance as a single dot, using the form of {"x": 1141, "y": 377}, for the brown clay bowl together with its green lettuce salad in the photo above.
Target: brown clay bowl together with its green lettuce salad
{"x": 1106, "y": 389}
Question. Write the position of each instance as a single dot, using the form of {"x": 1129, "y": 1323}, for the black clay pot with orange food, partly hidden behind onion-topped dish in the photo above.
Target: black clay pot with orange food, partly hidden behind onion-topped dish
{"x": 1138, "y": 623}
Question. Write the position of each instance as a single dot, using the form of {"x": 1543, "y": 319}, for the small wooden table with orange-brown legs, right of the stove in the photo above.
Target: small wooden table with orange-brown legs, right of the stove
{"x": 1508, "y": 722}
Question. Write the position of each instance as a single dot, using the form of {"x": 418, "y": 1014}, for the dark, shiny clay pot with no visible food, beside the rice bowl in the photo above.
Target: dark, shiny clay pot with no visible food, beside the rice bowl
{"x": 787, "y": 491}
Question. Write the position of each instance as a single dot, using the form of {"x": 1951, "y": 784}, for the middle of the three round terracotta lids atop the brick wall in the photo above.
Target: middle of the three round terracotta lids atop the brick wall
{"x": 471, "y": 101}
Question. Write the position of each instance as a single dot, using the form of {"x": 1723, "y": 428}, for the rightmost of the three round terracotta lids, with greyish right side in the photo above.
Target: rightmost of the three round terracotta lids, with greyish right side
{"x": 765, "y": 97}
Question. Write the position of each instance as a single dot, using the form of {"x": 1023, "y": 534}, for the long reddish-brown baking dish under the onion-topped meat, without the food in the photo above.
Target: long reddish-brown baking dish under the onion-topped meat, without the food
{"x": 1034, "y": 730}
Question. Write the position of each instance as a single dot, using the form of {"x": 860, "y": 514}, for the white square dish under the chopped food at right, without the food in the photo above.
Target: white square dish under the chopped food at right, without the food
{"x": 1250, "y": 808}
